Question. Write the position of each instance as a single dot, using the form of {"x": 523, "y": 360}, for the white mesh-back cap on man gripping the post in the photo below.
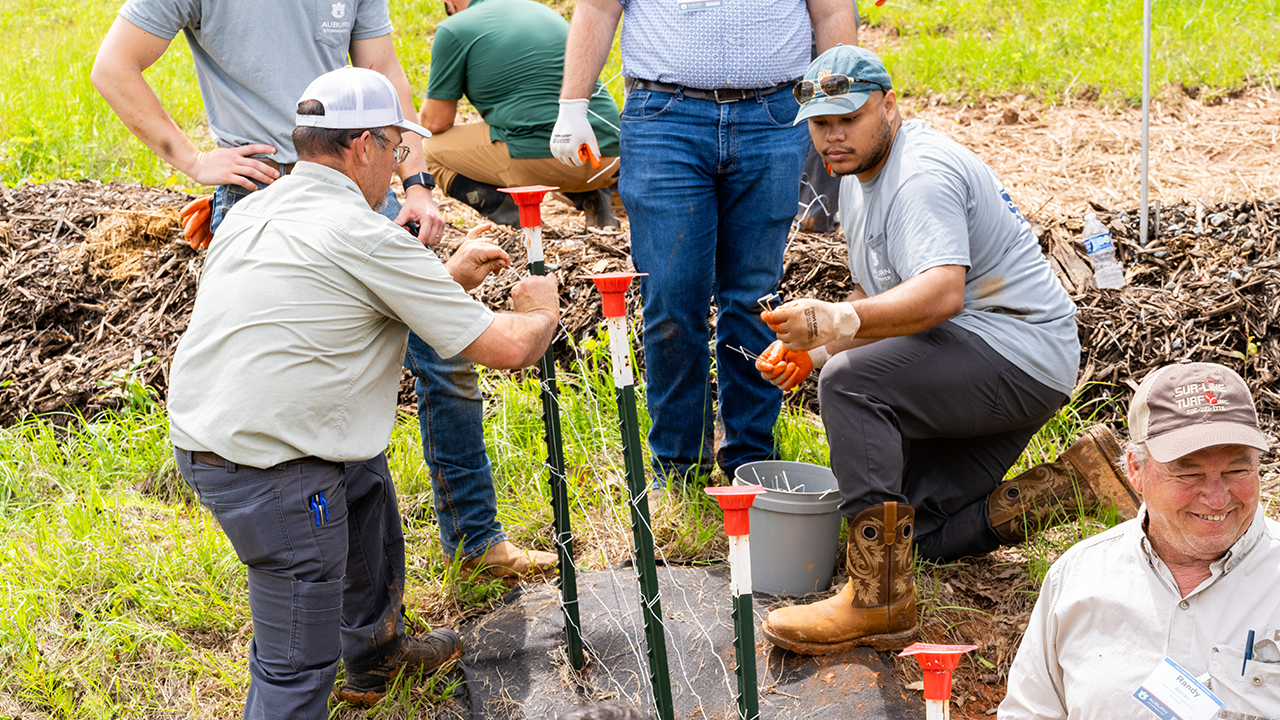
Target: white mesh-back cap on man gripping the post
{"x": 354, "y": 99}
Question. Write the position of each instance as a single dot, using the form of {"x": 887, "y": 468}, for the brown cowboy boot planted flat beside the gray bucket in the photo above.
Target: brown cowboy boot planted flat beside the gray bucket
{"x": 877, "y": 605}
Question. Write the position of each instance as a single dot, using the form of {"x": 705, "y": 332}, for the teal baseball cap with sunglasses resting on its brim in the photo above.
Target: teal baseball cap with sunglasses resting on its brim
{"x": 840, "y": 81}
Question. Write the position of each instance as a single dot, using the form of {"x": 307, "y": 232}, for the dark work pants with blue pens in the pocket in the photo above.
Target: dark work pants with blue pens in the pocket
{"x": 318, "y": 590}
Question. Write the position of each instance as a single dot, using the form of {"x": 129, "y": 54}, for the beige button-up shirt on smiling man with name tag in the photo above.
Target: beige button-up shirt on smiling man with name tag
{"x": 1110, "y": 612}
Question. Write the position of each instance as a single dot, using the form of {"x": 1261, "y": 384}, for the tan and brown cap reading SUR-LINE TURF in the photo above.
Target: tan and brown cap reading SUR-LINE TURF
{"x": 1190, "y": 407}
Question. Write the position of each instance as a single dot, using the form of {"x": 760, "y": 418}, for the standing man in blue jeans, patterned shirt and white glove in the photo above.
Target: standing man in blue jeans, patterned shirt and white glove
{"x": 710, "y": 177}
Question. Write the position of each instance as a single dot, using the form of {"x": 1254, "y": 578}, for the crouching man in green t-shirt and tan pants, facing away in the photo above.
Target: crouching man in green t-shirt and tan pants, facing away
{"x": 508, "y": 57}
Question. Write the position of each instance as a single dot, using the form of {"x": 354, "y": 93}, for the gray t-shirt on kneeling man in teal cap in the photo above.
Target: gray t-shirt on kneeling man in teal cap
{"x": 935, "y": 203}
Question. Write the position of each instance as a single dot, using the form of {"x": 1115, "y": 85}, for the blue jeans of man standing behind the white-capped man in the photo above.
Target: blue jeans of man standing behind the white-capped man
{"x": 450, "y": 413}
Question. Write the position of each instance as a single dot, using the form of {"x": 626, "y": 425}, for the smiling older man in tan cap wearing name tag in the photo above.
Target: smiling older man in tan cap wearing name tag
{"x": 1176, "y": 613}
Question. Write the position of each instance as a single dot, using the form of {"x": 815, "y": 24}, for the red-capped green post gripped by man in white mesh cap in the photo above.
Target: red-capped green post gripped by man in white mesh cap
{"x": 529, "y": 199}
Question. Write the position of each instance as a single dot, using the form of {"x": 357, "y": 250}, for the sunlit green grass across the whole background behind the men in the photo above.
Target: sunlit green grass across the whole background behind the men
{"x": 57, "y": 126}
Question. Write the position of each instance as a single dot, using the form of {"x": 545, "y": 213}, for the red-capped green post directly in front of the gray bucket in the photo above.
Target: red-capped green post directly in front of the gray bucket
{"x": 737, "y": 503}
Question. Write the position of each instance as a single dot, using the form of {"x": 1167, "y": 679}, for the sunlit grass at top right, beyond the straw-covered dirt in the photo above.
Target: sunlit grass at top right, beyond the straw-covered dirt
{"x": 975, "y": 49}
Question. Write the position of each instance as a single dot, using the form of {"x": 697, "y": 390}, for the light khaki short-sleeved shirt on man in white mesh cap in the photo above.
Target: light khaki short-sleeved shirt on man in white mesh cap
{"x": 301, "y": 321}
